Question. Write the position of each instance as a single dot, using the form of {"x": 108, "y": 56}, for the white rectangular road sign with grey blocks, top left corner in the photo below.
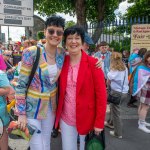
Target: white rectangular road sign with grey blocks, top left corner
{"x": 16, "y": 12}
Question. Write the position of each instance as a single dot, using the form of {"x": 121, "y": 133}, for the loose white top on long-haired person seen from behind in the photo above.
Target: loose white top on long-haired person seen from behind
{"x": 116, "y": 78}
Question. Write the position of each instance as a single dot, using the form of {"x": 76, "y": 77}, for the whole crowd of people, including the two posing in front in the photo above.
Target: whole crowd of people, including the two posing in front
{"x": 68, "y": 84}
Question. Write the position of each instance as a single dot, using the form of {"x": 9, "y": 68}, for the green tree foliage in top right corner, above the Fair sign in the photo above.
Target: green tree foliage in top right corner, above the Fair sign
{"x": 140, "y": 8}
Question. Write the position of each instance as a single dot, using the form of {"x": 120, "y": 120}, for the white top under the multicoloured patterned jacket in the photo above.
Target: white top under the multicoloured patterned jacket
{"x": 52, "y": 72}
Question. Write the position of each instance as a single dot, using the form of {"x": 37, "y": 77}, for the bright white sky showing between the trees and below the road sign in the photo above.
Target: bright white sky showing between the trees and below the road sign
{"x": 16, "y": 32}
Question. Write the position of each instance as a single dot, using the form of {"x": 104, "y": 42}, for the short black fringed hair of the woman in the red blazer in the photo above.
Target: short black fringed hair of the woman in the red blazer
{"x": 72, "y": 30}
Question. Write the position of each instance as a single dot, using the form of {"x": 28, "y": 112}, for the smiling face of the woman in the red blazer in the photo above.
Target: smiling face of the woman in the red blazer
{"x": 74, "y": 44}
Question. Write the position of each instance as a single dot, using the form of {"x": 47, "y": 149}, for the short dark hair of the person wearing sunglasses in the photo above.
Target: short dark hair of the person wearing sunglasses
{"x": 55, "y": 20}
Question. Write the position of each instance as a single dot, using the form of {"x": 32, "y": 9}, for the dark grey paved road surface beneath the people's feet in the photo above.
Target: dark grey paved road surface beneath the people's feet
{"x": 133, "y": 139}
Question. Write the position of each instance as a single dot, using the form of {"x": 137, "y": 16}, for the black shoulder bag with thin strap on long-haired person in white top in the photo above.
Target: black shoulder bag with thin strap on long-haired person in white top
{"x": 114, "y": 96}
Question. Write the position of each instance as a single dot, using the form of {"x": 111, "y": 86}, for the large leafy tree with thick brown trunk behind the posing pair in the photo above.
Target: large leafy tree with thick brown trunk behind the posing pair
{"x": 85, "y": 10}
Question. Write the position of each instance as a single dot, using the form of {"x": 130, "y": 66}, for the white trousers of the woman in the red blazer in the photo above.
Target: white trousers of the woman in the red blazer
{"x": 69, "y": 137}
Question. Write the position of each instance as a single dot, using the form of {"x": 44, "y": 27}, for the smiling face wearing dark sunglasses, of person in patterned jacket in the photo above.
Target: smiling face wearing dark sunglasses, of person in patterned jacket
{"x": 53, "y": 35}
